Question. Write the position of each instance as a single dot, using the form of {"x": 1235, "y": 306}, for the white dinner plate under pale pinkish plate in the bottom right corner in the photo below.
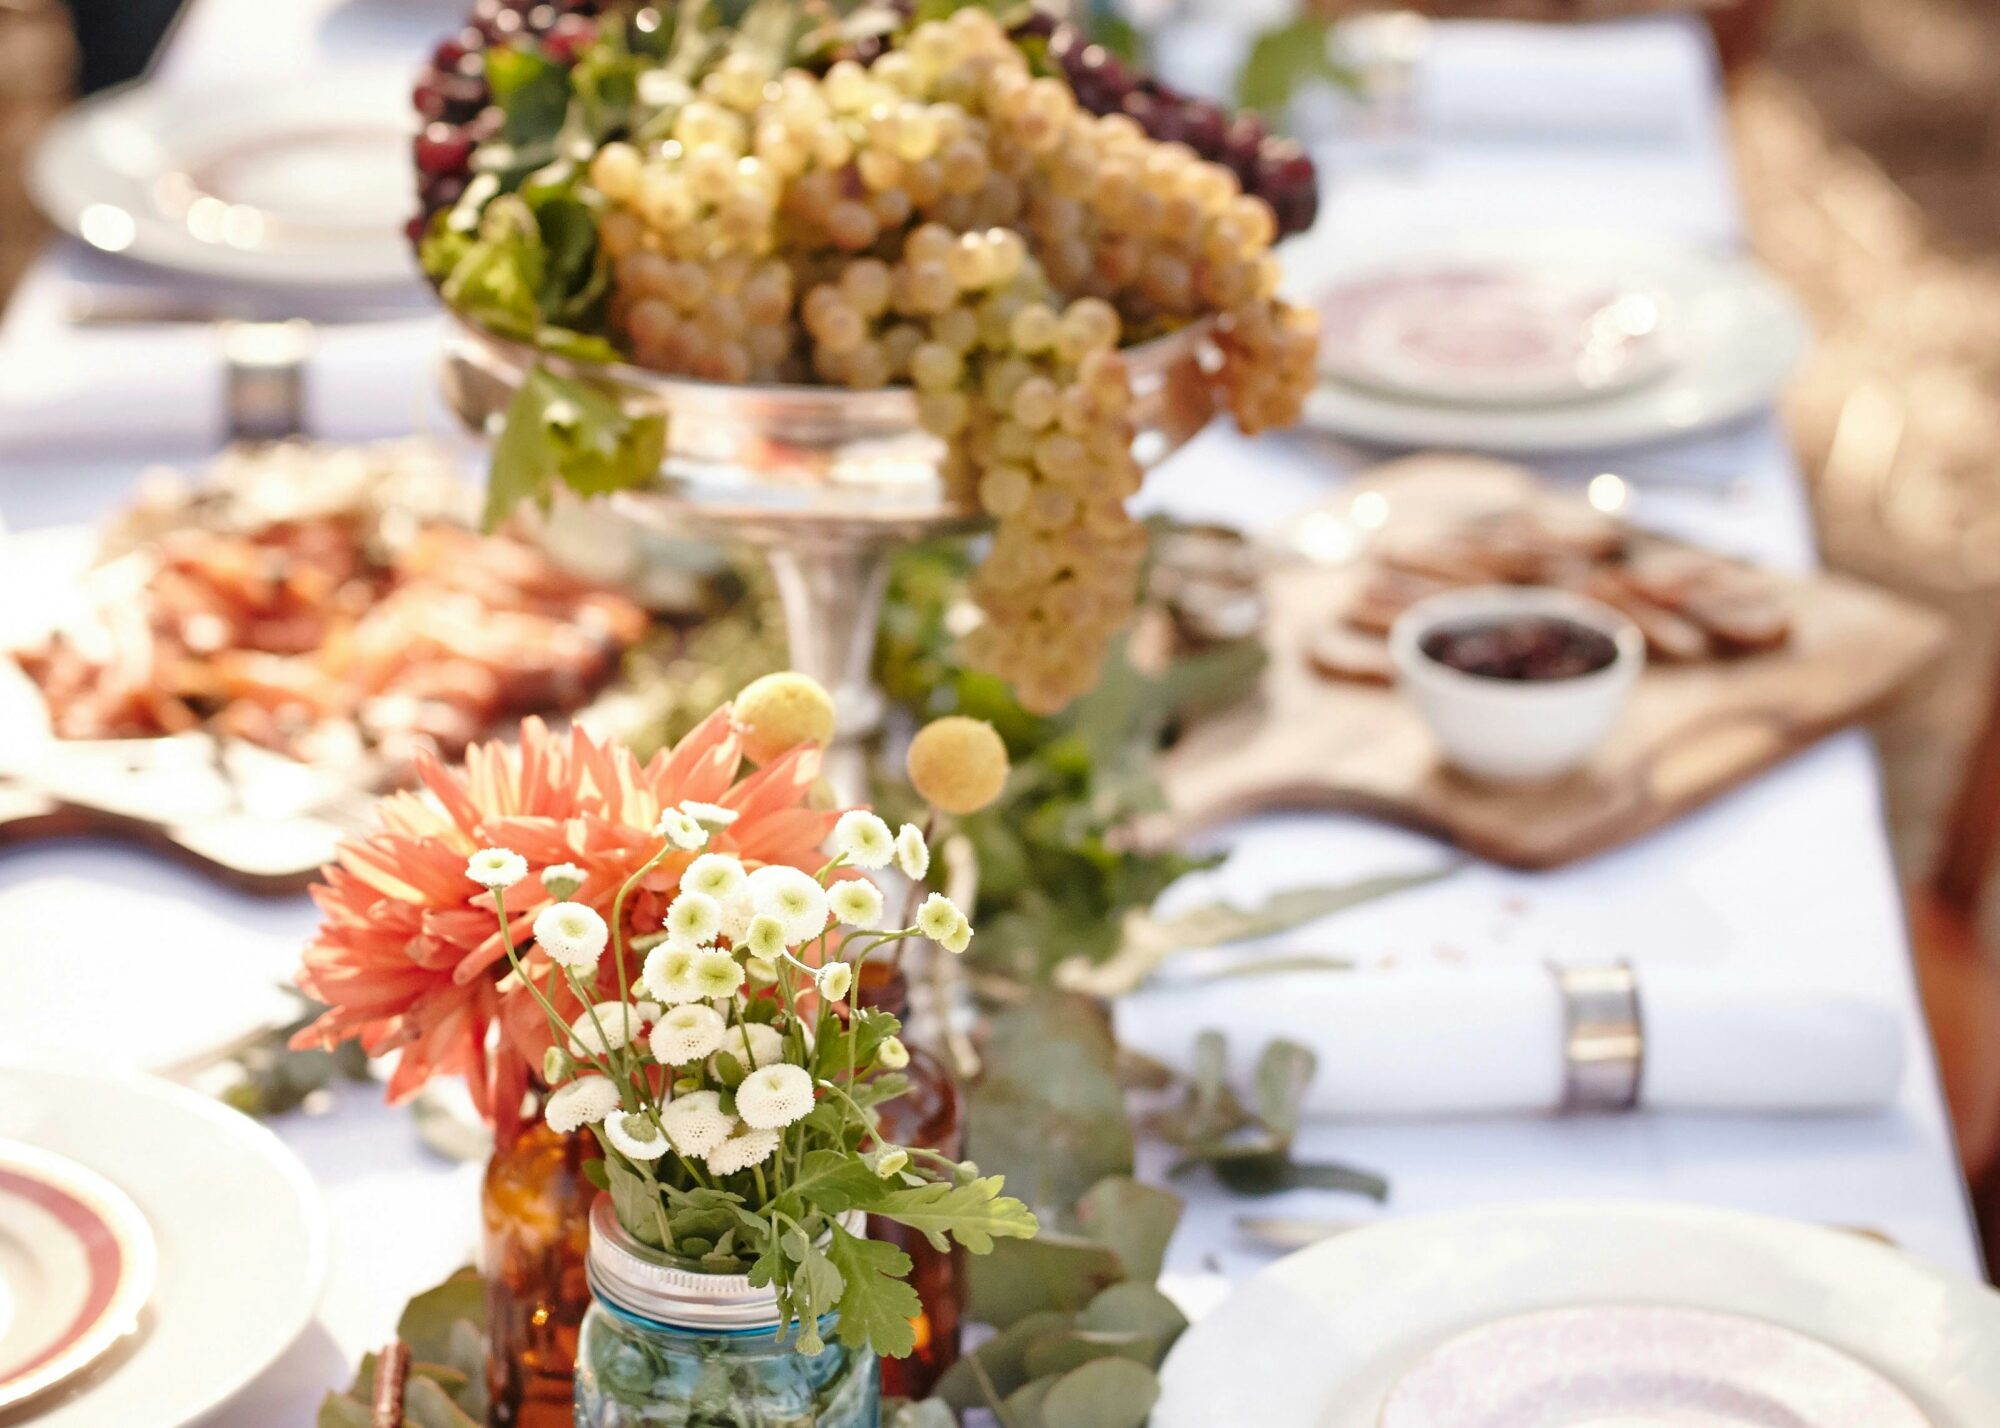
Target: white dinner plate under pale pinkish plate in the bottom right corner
{"x": 1321, "y": 1339}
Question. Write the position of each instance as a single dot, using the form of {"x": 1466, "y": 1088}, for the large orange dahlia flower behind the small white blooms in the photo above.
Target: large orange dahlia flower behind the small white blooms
{"x": 409, "y": 953}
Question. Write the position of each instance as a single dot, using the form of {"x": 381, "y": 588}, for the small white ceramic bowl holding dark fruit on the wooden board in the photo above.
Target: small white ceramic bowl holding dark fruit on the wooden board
{"x": 1515, "y": 731}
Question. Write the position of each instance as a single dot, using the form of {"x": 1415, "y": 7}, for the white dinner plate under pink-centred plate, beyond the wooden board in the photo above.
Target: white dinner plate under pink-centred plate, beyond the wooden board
{"x": 1729, "y": 339}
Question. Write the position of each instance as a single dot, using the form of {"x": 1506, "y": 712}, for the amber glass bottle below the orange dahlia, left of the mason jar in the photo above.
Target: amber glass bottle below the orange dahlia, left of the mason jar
{"x": 535, "y": 1211}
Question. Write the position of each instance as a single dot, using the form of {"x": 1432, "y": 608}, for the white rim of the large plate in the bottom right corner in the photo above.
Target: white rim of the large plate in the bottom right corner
{"x": 1201, "y": 1379}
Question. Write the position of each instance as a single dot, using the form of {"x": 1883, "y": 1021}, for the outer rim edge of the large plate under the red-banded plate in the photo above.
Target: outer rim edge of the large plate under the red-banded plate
{"x": 317, "y": 1265}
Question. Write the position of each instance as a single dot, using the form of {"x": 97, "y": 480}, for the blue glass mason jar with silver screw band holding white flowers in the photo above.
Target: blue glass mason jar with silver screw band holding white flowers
{"x": 667, "y": 1345}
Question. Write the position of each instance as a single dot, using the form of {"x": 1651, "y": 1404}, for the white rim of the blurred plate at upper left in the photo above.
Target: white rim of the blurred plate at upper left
{"x": 69, "y": 141}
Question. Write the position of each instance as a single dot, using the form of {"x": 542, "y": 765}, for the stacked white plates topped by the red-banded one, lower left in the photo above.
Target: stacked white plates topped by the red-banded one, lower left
{"x": 157, "y": 1251}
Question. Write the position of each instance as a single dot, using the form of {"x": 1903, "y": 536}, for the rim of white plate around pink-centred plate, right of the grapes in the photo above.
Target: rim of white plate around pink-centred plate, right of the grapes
{"x": 1631, "y": 417}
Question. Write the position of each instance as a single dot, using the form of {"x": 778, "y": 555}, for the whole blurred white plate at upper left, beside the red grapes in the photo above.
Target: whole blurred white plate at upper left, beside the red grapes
{"x": 281, "y": 183}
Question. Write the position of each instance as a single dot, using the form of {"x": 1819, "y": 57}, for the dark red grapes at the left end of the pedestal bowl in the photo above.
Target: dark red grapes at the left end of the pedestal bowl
{"x": 455, "y": 99}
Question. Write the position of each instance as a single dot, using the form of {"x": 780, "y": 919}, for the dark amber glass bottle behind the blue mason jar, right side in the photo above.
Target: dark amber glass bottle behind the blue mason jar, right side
{"x": 929, "y": 1117}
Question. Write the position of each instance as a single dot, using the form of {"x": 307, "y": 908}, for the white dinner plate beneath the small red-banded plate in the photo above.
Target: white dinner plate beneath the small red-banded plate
{"x": 239, "y": 1227}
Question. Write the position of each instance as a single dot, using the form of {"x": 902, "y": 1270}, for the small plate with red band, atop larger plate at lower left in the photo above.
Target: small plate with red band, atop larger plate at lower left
{"x": 77, "y": 1267}
